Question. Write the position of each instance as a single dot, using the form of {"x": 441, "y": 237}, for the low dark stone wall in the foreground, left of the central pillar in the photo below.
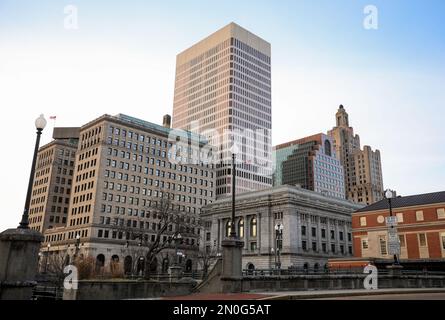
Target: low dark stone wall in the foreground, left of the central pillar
{"x": 126, "y": 289}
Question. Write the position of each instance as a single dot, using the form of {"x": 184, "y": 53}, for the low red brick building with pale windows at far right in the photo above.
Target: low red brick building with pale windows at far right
{"x": 421, "y": 228}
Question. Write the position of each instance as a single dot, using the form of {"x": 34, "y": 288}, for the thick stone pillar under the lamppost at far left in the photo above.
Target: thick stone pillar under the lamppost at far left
{"x": 19, "y": 256}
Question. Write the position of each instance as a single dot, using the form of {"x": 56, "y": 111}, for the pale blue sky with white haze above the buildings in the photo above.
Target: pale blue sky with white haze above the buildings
{"x": 121, "y": 59}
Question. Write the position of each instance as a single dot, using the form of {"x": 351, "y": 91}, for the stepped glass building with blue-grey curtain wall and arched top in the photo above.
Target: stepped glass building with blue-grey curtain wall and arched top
{"x": 311, "y": 163}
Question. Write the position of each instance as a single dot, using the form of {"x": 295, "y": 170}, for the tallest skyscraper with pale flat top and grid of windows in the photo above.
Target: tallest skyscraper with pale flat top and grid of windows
{"x": 223, "y": 92}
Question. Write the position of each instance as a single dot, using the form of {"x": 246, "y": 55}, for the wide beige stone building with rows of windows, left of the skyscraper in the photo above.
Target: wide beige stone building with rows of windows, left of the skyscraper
{"x": 124, "y": 167}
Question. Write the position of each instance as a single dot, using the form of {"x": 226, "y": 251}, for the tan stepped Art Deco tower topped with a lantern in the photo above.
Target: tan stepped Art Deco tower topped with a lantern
{"x": 363, "y": 168}
